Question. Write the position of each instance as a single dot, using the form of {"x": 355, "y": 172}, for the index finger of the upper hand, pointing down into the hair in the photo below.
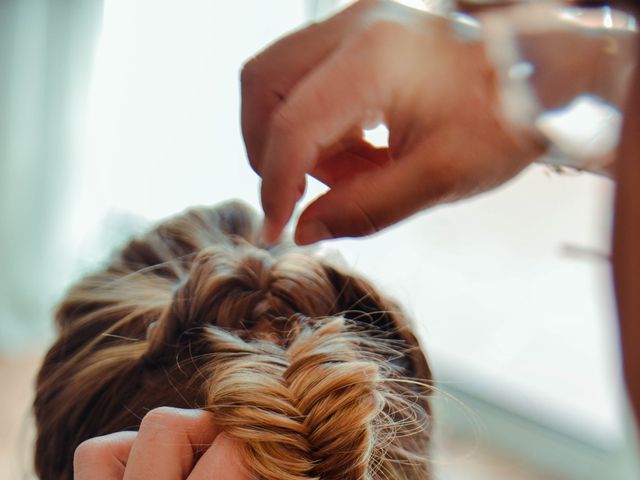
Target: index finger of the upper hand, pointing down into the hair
{"x": 341, "y": 93}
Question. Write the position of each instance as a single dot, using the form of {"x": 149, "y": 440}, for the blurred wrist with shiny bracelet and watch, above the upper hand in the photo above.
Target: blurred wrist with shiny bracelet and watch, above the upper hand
{"x": 563, "y": 73}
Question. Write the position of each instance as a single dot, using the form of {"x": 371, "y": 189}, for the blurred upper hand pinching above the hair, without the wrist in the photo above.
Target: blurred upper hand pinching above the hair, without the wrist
{"x": 306, "y": 98}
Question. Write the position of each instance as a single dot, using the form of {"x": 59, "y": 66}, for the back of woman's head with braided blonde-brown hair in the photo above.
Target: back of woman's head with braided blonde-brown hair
{"x": 316, "y": 373}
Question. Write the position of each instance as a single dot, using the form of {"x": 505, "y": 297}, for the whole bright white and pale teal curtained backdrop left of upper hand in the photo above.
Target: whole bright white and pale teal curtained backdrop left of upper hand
{"x": 113, "y": 111}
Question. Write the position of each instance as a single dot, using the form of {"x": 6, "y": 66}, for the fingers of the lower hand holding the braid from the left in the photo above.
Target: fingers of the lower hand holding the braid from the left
{"x": 172, "y": 444}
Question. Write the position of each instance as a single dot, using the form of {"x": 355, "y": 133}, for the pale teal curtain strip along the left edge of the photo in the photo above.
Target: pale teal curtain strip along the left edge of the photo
{"x": 45, "y": 58}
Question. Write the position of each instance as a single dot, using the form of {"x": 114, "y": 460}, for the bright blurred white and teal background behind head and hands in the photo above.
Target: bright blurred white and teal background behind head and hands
{"x": 118, "y": 113}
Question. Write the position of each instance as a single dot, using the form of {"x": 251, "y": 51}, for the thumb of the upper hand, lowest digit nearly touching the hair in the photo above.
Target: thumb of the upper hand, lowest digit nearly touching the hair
{"x": 376, "y": 199}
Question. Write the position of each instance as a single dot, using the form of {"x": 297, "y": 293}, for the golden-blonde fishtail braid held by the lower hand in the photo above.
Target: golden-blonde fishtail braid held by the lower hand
{"x": 315, "y": 410}
